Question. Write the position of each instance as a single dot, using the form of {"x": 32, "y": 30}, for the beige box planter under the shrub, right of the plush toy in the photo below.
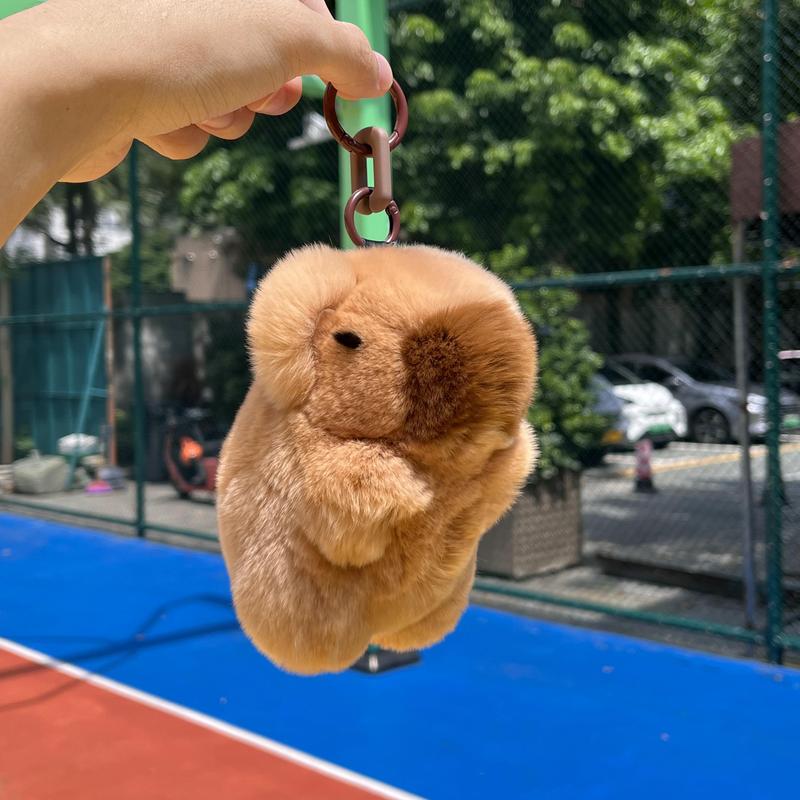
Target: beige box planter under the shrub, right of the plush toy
{"x": 542, "y": 532}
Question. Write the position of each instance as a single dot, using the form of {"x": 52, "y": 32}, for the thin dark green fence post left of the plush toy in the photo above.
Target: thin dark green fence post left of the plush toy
{"x": 136, "y": 304}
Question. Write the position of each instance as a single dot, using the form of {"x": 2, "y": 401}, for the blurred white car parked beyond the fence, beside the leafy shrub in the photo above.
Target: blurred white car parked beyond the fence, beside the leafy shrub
{"x": 647, "y": 411}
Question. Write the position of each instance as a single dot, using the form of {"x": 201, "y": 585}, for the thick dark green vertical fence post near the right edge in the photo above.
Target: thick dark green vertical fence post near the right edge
{"x": 771, "y": 254}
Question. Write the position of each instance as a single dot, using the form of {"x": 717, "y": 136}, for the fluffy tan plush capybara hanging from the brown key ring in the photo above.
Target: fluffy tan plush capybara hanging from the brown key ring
{"x": 383, "y": 434}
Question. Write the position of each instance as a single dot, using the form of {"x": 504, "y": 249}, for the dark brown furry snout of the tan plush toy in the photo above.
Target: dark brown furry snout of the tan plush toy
{"x": 473, "y": 364}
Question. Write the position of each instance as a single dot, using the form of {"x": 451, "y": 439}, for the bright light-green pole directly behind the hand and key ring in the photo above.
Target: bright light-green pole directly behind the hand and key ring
{"x": 371, "y": 16}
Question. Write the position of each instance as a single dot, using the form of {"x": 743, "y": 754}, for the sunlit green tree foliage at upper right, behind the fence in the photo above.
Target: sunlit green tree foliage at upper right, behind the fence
{"x": 595, "y": 134}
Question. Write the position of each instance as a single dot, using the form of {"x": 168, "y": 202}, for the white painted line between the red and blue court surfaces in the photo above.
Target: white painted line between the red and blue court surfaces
{"x": 205, "y": 721}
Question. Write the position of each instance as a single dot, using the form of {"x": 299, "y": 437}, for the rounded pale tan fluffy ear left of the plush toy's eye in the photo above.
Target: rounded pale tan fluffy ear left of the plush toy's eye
{"x": 283, "y": 318}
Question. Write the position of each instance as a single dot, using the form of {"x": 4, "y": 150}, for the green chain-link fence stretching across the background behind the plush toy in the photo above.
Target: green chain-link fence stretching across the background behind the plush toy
{"x": 633, "y": 168}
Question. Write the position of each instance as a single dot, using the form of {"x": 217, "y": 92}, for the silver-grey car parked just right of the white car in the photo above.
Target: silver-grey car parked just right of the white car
{"x": 710, "y": 397}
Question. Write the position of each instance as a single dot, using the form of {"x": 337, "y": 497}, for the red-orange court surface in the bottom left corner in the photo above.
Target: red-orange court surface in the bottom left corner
{"x": 108, "y": 742}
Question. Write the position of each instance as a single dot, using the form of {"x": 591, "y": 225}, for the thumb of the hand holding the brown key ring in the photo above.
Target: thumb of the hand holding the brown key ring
{"x": 340, "y": 53}
